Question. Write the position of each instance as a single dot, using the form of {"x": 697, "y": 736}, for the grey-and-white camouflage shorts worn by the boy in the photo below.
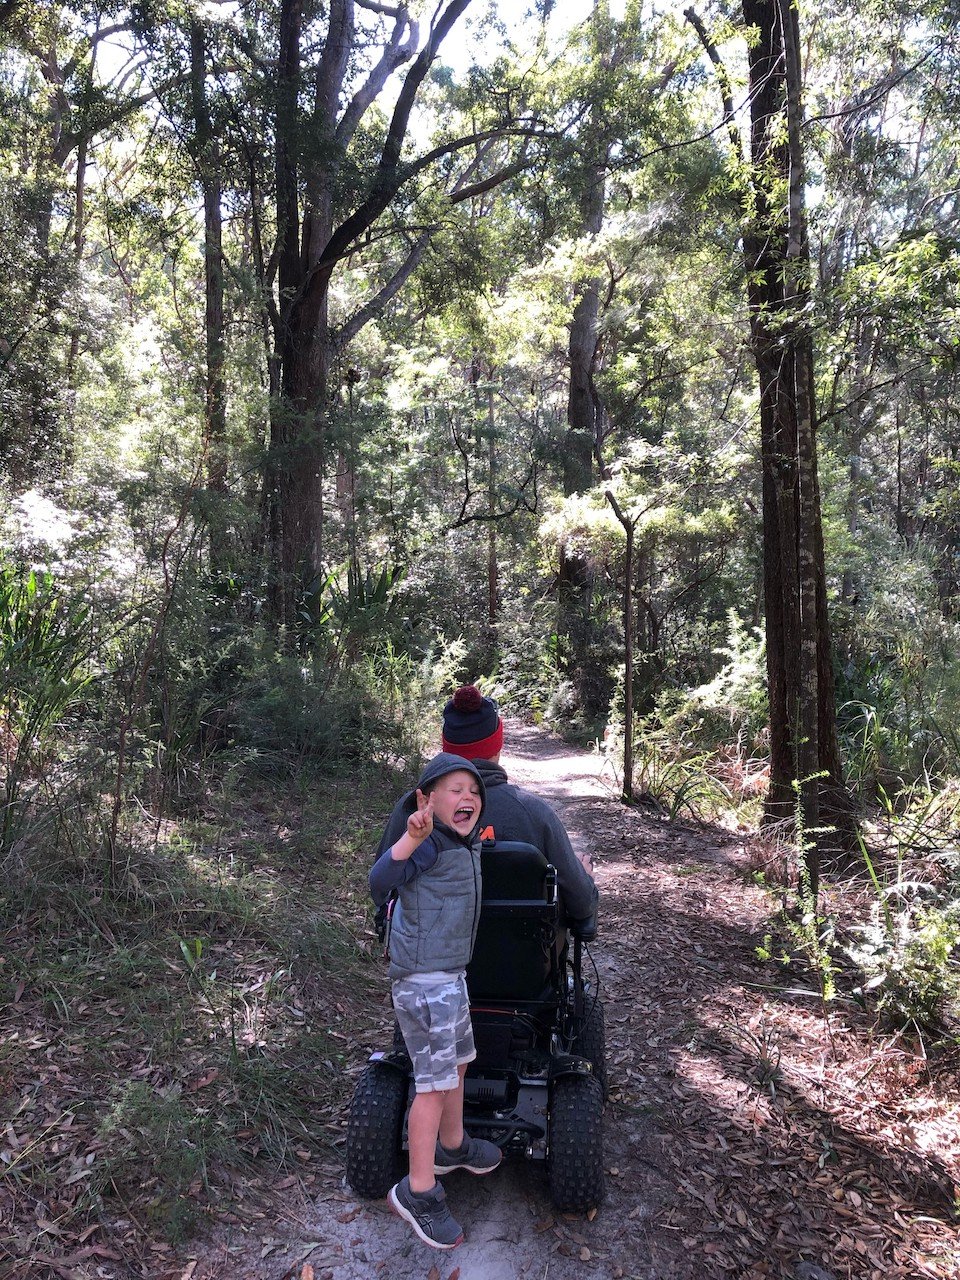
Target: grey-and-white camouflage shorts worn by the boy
{"x": 435, "y": 1018}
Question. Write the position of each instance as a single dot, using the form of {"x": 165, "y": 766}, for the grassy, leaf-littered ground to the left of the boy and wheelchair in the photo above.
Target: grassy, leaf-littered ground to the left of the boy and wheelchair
{"x": 190, "y": 1021}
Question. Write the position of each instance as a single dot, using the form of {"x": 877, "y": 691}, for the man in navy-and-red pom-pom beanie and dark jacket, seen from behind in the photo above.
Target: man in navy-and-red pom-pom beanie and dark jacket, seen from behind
{"x": 473, "y": 729}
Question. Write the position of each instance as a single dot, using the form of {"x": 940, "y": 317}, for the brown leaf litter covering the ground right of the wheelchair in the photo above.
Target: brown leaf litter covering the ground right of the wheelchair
{"x": 774, "y": 1165}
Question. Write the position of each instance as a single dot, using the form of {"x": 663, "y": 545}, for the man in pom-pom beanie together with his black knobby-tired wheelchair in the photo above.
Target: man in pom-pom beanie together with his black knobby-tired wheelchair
{"x": 537, "y": 1086}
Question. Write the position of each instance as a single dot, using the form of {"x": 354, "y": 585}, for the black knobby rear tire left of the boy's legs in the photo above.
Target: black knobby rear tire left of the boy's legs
{"x": 376, "y": 1131}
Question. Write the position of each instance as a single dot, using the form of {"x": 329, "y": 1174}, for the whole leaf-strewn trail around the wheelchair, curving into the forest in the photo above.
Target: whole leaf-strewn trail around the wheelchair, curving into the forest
{"x": 747, "y": 1135}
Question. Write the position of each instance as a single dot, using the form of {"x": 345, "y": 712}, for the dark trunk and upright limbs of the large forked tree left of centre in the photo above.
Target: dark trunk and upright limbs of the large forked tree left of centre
{"x": 310, "y": 250}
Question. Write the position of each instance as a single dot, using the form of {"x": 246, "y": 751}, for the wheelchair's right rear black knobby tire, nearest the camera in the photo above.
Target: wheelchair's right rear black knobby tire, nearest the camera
{"x": 575, "y": 1144}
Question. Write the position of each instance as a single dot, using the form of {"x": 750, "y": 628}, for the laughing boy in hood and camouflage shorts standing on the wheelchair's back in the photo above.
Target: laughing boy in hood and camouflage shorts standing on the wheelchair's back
{"x": 436, "y": 870}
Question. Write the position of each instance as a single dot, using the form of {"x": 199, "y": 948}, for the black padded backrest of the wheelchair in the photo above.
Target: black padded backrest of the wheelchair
{"x": 520, "y": 936}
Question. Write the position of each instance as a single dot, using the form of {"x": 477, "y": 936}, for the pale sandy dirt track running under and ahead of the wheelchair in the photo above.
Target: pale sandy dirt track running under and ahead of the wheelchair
{"x": 511, "y": 1229}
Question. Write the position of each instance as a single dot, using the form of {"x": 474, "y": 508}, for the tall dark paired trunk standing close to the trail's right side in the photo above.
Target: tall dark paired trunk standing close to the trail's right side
{"x": 804, "y": 752}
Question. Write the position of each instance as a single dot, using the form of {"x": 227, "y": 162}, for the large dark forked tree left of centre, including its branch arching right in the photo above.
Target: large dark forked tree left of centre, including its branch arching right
{"x": 350, "y": 163}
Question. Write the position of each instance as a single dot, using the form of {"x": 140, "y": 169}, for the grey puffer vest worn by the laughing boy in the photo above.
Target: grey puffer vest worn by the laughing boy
{"x": 436, "y": 917}
